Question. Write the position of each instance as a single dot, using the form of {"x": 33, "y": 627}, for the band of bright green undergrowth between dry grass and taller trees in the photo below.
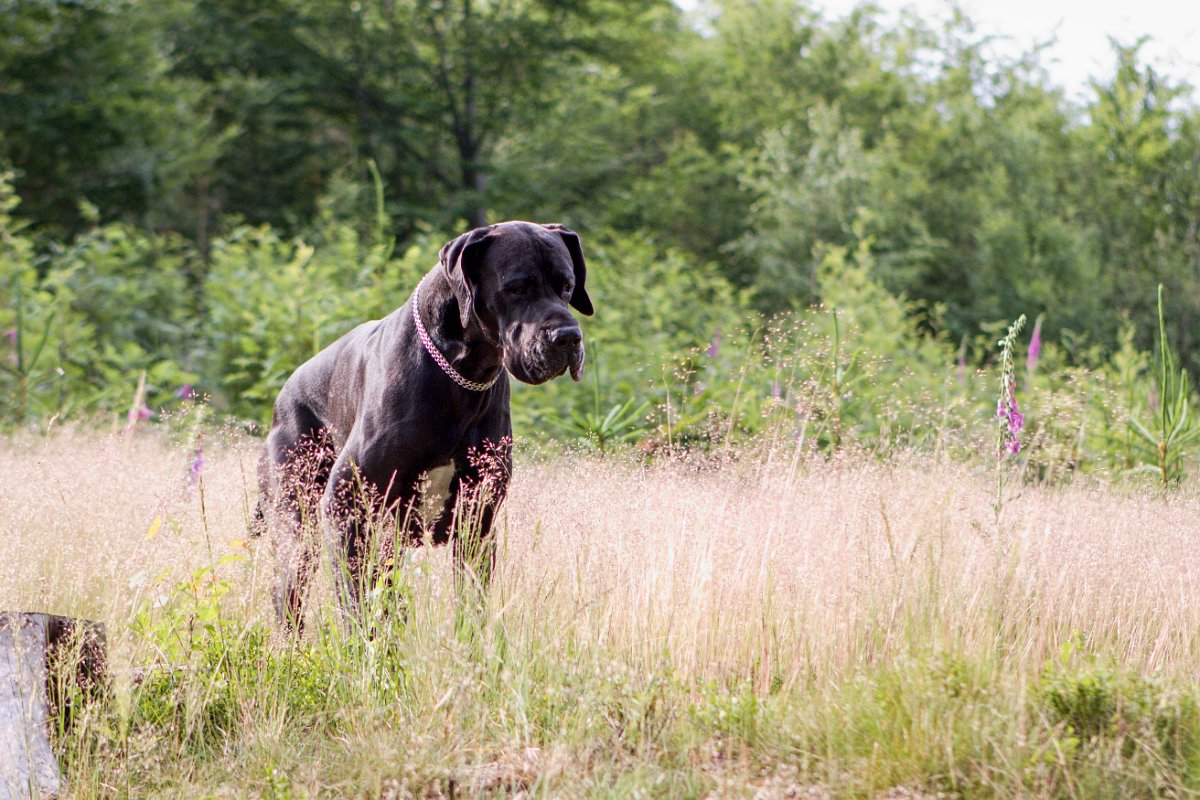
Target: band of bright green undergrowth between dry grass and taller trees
{"x": 676, "y": 354}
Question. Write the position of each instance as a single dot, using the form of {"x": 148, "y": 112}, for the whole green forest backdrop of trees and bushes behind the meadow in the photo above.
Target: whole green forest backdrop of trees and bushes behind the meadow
{"x": 788, "y": 218}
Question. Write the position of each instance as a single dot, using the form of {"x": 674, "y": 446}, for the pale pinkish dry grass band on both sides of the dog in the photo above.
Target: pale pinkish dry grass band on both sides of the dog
{"x": 772, "y": 570}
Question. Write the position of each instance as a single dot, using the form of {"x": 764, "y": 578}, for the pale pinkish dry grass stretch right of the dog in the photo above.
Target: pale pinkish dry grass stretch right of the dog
{"x": 784, "y": 569}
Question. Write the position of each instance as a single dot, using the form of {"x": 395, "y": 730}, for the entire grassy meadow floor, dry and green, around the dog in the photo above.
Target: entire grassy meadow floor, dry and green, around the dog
{"x": 771, "y": 622}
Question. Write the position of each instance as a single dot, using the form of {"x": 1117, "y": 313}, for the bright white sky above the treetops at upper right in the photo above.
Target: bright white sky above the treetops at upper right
{"x": 1082, "y": 28}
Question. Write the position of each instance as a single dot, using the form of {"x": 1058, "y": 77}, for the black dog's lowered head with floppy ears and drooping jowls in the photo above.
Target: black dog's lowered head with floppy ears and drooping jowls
{"x": 517, "y": 280}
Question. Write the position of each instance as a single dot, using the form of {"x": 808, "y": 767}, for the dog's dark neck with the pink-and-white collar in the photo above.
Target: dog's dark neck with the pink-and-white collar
{"x": 472, "y": 352}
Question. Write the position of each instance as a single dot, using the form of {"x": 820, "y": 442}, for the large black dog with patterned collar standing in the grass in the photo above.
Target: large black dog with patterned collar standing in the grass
{"x": 400, "y": 402}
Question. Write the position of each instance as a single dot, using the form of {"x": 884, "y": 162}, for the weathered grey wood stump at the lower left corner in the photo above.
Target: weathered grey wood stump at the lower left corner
{"x": 45, "y": 661}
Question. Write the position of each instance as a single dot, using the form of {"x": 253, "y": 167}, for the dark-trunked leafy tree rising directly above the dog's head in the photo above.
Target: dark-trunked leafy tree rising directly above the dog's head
{"x": 434, "y": 86}
